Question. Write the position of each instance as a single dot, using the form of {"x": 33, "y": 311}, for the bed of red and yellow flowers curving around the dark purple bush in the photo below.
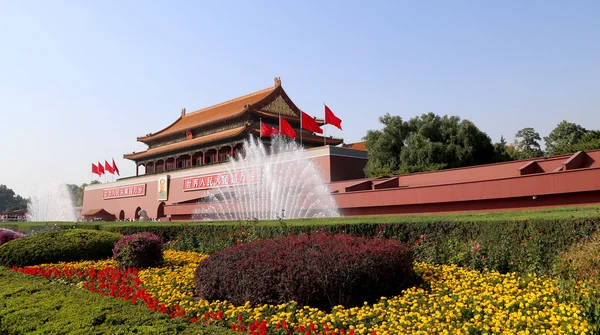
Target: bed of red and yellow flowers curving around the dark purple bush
{"x": 452, "y": 299}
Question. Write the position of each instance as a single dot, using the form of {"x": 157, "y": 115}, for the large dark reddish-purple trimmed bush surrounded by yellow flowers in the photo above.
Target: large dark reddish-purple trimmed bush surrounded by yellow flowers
{"x": 319, "y": 270}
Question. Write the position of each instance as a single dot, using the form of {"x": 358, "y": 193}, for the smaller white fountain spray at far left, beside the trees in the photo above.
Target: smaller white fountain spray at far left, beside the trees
{"x": 51, "y": 203}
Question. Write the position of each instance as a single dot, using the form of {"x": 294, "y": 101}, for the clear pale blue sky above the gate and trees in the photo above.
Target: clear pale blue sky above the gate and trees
{"x": 80, "y": 80}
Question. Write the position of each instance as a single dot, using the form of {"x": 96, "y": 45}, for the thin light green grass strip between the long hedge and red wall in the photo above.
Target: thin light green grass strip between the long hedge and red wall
{"x": 567, "y": 212}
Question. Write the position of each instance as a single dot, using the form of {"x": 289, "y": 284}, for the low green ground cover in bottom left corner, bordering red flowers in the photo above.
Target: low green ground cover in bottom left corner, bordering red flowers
{"x": 33, "y": 305}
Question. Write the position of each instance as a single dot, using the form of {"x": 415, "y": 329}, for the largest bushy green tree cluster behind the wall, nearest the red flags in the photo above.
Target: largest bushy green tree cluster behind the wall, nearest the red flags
{"x": 425, "y": 143}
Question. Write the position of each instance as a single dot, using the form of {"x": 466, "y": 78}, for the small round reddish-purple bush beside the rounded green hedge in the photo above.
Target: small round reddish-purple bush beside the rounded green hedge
{"x": 140, "y": 250}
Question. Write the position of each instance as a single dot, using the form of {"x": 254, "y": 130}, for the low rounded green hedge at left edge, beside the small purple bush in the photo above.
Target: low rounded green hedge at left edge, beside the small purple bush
{"x": 58, "y": 246}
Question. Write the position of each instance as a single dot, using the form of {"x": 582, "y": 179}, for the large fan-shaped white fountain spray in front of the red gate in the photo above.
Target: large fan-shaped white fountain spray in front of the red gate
{"x": 282, "y": 184}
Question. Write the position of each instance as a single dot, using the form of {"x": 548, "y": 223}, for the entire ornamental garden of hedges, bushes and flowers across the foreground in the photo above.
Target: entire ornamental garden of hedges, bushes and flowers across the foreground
{"x": 521, "y": 272}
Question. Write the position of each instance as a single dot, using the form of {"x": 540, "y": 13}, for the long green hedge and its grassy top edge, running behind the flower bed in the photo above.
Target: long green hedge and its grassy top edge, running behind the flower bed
{"x": 503, "y": 232}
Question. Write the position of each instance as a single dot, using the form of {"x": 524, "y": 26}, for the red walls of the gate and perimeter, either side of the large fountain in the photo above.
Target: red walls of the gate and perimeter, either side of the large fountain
{"x": 555, "y": 181}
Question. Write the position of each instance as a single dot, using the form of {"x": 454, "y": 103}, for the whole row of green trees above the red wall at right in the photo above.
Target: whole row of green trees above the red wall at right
{"x": 432, "y": 142}
